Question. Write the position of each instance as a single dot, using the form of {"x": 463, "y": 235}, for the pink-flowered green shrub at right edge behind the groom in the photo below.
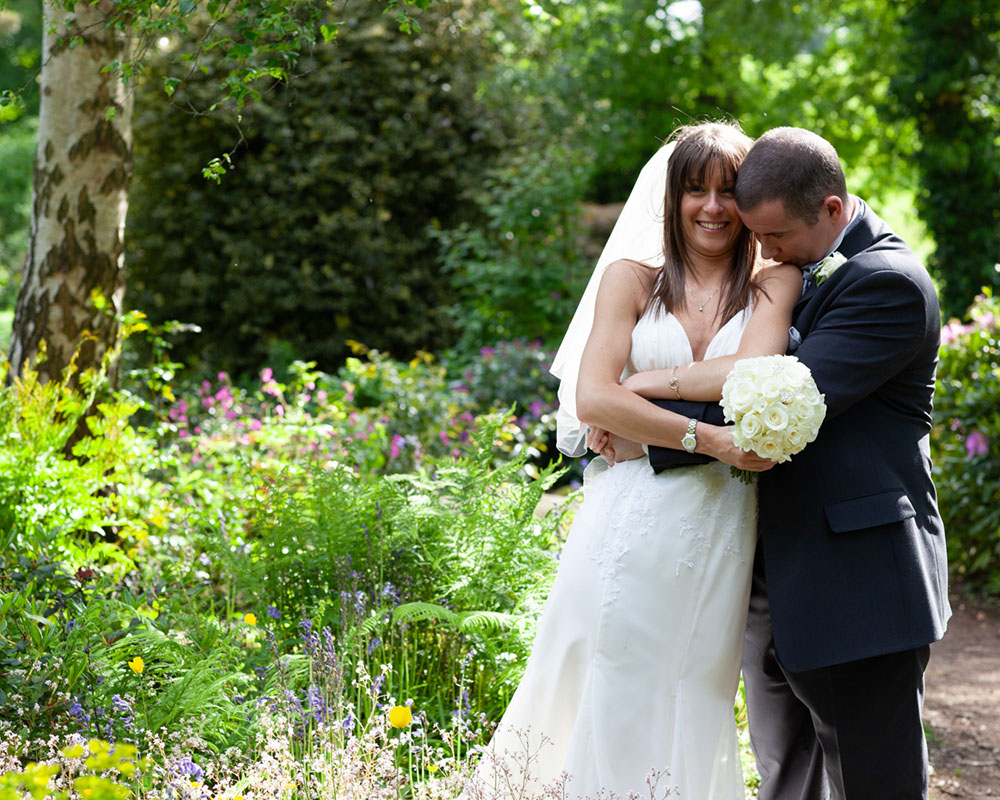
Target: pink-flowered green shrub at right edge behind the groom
{"x": 967, "y": 444}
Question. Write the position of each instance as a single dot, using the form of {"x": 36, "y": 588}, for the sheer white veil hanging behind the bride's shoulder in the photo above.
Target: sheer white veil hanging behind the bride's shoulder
{"x": 638, "y": 235}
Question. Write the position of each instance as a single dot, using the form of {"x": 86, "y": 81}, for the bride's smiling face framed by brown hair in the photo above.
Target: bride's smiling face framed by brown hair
{"x": 708, "y": 214}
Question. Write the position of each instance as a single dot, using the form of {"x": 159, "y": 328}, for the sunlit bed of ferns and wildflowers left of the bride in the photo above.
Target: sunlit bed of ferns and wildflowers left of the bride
{"x": 253, "y": 548}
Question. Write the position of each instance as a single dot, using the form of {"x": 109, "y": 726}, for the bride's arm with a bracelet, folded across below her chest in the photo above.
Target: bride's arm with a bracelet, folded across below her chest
{"x": 766, "y": 334}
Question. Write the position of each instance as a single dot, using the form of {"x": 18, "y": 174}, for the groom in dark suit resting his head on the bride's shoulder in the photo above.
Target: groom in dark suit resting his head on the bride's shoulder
{"x": 850, "y": 580}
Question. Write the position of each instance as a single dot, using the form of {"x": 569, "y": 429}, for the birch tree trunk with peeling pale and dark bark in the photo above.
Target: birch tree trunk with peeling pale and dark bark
{"x": 83, "y": 164}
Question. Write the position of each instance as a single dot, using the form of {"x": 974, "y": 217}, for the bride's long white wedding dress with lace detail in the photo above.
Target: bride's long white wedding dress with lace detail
{"x": 636, "y": 661}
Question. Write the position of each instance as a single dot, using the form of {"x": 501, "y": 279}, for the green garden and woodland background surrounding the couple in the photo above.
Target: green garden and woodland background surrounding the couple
{"x": 274, "y": 471}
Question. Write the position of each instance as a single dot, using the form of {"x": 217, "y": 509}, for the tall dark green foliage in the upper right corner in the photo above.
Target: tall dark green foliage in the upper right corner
{"x": 946, "y": 83}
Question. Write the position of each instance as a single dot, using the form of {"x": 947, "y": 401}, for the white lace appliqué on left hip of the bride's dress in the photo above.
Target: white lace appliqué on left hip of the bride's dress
{"x": 634, "y": 485}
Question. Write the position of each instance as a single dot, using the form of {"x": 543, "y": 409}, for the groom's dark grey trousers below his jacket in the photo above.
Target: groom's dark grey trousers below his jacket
{"x": 798, "y": 720}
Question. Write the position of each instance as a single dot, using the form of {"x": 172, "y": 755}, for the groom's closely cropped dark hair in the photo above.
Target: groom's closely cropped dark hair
{"x": 793, "y": 165}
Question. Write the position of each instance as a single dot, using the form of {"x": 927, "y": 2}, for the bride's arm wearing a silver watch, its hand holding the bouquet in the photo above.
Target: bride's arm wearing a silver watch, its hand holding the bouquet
{"x": 601, "y": 401}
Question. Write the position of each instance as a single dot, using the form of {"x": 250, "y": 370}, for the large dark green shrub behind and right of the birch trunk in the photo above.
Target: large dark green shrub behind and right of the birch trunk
{"x": 320, "y": 231}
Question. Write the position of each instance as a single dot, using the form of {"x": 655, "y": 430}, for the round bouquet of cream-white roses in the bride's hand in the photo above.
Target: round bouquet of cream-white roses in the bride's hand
{"x": 776, "y": 407}
